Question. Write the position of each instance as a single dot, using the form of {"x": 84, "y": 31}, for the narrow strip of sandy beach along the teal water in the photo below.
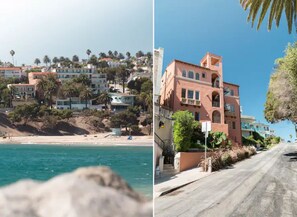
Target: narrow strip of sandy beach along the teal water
{"x": 91, "y": 140}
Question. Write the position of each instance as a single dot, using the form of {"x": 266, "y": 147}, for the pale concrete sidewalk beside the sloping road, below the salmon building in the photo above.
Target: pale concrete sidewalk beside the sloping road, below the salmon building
{"x": 167, "y": 184}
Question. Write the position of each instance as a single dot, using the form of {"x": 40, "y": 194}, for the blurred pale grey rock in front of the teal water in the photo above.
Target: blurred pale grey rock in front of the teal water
{"x": 87, "y": 192}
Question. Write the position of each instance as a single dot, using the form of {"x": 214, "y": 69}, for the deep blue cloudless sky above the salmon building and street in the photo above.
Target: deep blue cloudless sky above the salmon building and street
{"x": 188, "y": 29}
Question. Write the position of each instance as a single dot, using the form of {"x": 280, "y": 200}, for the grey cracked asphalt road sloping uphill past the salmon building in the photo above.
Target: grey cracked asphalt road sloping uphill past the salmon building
{"x": 265, "y": 185}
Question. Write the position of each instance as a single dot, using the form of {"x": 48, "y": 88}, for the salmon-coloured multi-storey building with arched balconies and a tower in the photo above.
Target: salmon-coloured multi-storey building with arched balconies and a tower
{"x": 200, "y": 89}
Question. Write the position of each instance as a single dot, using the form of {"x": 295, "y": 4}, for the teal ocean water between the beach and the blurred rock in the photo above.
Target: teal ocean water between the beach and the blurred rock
{"x": 42, "y": 162}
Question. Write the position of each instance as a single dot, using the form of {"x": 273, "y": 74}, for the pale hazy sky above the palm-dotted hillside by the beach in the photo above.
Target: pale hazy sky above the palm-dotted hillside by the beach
{"x": 33, "y": 28}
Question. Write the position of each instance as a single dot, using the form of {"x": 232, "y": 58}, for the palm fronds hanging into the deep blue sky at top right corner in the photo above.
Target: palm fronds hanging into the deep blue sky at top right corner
{"x": 277, "y": 7}
